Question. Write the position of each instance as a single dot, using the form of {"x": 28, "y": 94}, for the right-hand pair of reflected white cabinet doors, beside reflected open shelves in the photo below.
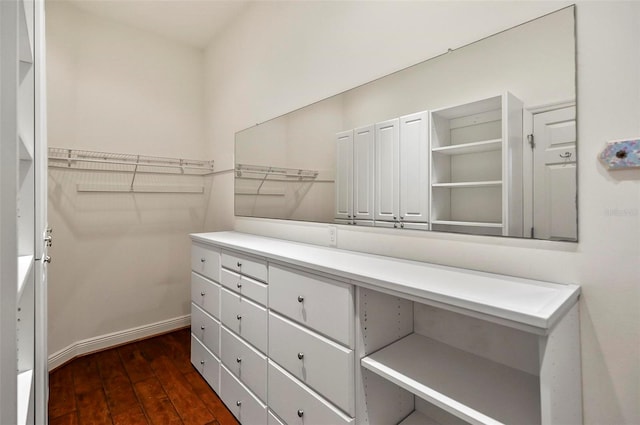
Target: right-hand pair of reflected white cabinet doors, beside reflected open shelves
{"x": 401, "y": 172}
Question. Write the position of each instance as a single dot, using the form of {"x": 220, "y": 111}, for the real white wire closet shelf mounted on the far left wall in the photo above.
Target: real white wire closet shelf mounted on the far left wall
{"x": 73, "y": 159}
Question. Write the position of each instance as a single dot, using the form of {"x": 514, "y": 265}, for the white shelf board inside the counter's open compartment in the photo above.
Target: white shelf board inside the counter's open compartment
{"x": 458, "y": 382}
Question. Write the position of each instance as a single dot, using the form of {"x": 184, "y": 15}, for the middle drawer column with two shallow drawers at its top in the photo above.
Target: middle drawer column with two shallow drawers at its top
{"x": 243, "y": 312}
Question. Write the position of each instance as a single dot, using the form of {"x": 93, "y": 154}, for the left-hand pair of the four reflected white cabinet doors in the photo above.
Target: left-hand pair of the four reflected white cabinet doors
{"x": 354, "y": 176}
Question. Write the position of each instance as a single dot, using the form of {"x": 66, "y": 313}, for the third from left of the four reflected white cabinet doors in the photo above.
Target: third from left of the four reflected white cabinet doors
{"x": 387, "y": 153}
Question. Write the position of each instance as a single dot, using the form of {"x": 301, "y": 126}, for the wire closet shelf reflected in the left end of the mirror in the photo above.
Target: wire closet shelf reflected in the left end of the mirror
{"x": 261, "y": 174}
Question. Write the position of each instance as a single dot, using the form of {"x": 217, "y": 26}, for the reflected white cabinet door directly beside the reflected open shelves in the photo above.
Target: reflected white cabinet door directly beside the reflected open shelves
{"x": 414, "y": 168}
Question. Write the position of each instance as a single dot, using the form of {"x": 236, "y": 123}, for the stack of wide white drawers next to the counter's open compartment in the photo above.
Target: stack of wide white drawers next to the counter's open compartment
{"x": 311, "y": 341}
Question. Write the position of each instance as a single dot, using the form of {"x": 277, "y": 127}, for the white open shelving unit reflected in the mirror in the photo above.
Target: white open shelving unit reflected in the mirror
{"x": 476, "y": 153}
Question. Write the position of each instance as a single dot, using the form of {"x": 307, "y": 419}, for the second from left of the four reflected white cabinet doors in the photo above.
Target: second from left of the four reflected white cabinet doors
{"x": 363, "y": 163}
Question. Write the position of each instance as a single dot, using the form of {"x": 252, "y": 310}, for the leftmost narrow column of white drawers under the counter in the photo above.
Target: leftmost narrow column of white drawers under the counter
{"x": 205, "y": 313}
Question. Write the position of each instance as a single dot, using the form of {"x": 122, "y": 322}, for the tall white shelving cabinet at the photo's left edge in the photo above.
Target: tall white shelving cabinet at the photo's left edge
{"x": 23, "y": 173}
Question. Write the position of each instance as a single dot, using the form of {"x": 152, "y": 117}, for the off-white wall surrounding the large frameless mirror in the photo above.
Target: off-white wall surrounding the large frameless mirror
{"x": 282, "y": 55}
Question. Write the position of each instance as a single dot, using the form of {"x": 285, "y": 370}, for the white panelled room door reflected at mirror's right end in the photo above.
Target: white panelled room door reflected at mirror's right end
{"x": 554, "y": 175}
